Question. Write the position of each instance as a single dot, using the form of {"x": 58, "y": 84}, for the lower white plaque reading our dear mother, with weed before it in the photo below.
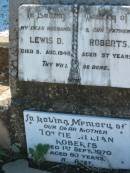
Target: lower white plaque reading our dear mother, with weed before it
{"x": 93, "y": 141}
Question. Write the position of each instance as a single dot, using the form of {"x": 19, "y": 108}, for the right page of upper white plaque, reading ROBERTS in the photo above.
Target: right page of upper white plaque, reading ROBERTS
{"x": 104, "y": 45}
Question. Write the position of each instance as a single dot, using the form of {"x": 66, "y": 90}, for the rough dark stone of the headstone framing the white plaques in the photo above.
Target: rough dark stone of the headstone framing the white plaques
{"x": 104, "y": 101}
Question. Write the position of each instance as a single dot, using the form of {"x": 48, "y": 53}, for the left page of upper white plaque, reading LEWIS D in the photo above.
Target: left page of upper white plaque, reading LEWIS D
{"x": 45, "y": 40}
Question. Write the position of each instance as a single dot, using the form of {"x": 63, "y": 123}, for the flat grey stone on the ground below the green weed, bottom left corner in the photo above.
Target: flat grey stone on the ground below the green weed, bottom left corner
{"x": 20, "y": 166}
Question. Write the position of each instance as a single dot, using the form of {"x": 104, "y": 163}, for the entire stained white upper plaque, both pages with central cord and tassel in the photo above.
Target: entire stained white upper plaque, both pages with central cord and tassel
{"x": 87, "y": 45}
